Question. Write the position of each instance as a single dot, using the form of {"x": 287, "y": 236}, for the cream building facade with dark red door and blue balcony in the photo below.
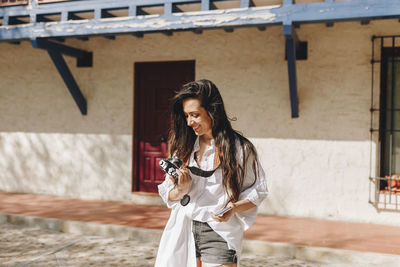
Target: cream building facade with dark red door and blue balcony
{"x": 321, "y": 162}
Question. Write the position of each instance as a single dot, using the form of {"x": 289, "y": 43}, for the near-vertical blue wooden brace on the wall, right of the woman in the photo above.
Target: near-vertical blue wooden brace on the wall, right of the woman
{"x": 290, "y": 46}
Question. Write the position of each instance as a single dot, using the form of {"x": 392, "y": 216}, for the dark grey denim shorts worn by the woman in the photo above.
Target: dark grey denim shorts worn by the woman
{"x": 210, "y": 246}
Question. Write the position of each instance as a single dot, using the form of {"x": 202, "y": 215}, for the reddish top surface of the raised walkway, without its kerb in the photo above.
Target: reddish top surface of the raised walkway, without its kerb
{"x": 363, "y": 237}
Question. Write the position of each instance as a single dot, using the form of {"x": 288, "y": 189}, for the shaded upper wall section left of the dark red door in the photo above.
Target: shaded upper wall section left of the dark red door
{"x": 38, "y": 101}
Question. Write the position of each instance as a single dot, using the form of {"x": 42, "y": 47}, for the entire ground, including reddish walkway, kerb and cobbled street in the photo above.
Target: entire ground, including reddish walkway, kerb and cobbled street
{"x": 329, "y": 243}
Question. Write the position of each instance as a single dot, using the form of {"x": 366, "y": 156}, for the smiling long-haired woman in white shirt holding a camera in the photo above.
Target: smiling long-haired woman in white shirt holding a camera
{"x": 202, "y": 137}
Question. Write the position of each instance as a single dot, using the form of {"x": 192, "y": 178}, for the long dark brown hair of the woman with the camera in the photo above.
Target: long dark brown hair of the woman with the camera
{"x": 182, "y": 137}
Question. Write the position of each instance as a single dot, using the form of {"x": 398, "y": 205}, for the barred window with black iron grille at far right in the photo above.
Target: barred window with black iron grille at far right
{"x": 384, "y": 191}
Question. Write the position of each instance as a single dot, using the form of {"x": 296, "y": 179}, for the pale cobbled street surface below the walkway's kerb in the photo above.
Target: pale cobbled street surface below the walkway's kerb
{"x": 28, "y": 246}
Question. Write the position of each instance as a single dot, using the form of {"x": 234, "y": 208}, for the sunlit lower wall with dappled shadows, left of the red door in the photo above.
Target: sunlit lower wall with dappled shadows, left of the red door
{"x": 75, "y": 165}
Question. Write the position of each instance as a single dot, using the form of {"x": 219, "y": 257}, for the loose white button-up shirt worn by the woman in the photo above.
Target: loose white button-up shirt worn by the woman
{"x": 207, "y": 195}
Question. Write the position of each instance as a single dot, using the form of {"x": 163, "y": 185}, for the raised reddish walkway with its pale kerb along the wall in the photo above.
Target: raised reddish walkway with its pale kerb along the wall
{"x": 325, "y": 242}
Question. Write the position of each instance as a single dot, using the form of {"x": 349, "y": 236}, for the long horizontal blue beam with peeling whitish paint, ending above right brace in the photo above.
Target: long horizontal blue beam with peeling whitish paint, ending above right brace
{"x": 154, "y": 23}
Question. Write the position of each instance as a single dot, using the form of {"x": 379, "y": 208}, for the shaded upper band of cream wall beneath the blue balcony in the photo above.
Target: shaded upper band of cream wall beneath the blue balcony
{"x": 333, "y": 89}
